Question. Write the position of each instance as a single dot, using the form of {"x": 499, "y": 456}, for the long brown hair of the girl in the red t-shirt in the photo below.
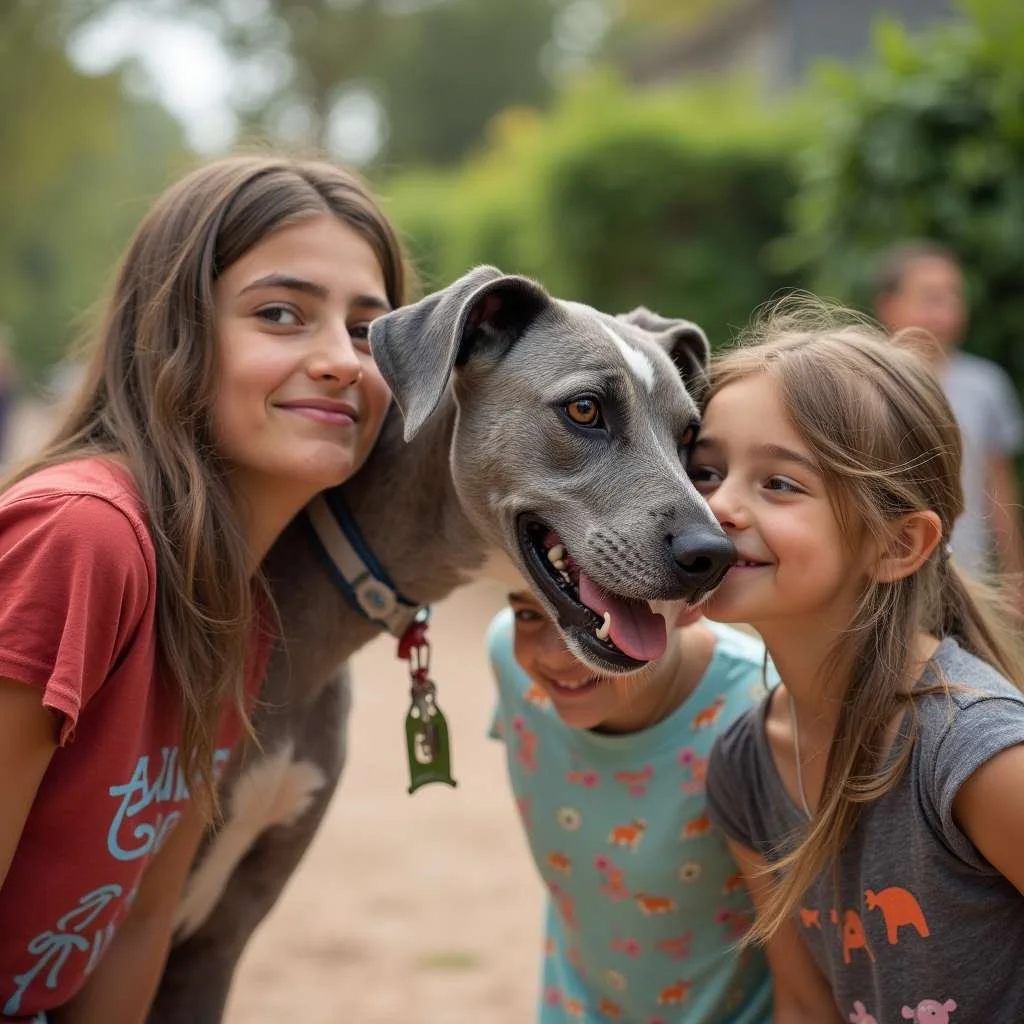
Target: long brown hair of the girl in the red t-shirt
{"x": 147, "y": 399}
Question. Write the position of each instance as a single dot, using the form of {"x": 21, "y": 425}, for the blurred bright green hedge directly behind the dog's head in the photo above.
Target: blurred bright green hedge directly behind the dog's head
{"x": 619, "y": 199}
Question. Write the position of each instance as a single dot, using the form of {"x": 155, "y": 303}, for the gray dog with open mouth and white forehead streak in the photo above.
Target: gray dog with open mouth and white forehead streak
{"x": 532, "y": 431}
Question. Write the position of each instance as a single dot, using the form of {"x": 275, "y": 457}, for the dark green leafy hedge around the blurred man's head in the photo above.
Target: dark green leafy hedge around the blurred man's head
{"x": 926, "y": 143}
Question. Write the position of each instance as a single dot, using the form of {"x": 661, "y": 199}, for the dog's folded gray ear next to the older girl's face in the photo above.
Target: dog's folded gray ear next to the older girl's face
{"x": 418, "y": 347}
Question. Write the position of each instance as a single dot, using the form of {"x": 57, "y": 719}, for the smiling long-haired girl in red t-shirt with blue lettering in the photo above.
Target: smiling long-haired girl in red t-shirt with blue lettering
{"x": 231, "y": 380}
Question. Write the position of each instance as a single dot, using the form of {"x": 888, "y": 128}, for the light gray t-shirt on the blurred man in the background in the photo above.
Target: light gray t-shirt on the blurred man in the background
{"x": 989, "y": 414}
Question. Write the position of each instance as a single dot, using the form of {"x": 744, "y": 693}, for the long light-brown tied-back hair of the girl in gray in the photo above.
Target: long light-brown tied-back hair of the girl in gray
{"x": 875, "y": 419}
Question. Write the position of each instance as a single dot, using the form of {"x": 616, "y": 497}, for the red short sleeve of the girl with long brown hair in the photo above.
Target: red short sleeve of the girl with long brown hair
{"x": 74, "y": 584}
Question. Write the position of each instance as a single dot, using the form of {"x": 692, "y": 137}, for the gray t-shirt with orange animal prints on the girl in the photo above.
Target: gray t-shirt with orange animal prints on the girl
{"x": 925, "y": 929}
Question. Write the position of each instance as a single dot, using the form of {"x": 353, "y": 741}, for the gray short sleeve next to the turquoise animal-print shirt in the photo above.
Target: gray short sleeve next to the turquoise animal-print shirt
{"x": 732, "y": 773}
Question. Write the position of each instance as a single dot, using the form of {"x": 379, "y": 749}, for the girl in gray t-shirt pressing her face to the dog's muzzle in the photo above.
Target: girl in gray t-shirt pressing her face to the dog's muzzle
{"x": 875, "y": 801}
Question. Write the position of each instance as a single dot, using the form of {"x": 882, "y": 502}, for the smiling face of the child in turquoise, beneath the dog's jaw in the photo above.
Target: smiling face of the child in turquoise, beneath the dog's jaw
{"x": 582, "y": 699}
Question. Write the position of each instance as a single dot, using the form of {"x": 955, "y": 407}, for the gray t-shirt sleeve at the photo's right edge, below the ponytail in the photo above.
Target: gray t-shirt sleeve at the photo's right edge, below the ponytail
{"x": 974, "y": 736}
